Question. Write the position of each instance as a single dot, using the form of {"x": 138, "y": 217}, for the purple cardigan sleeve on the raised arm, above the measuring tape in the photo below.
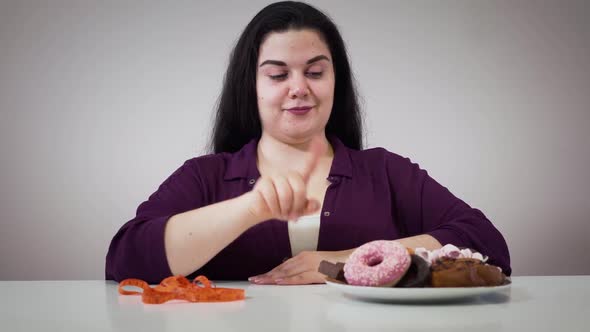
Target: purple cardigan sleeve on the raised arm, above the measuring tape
{"x": 137, "y": 250}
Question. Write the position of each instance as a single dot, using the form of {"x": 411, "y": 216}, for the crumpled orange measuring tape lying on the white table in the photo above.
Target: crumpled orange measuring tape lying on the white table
{"x": 180, "y": 288}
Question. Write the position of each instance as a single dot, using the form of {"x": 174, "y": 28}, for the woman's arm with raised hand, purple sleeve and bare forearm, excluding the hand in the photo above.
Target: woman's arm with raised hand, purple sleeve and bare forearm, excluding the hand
{"x": 177, "y": 230}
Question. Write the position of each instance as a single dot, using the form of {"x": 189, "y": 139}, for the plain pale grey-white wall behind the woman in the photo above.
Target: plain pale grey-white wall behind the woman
{"x": 101, "y": 100}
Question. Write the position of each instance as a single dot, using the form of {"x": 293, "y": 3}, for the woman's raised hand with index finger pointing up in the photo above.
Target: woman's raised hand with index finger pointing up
{"x": 285, "y": 196}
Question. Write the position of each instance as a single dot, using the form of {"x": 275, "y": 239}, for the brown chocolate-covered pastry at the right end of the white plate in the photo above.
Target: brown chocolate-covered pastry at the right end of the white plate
{"x": 465, "y": 272}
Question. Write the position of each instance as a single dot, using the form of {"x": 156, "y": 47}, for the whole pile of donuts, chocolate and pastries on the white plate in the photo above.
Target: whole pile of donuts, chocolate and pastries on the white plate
{"x": 390, "y": 264}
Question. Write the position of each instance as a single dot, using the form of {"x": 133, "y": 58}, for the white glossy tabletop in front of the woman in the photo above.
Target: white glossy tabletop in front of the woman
{"x": 533, "y": 304}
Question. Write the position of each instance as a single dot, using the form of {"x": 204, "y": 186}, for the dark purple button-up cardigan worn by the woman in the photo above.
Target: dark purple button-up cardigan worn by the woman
{"x": 374, "y": 194}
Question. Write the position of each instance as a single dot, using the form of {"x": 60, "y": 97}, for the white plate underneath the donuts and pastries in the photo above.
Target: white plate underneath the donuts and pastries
{"x": 414, "y": 294}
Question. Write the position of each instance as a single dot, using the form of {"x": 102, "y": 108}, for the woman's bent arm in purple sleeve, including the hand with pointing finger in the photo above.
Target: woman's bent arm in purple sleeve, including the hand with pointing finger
{"x": 177, "y": 230}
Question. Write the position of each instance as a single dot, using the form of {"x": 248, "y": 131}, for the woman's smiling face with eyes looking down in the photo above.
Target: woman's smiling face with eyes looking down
{"x": 294, "y": 85}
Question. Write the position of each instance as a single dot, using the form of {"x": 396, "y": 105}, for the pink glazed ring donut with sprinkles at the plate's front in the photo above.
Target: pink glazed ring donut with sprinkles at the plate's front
{"x": 377, "y": 263}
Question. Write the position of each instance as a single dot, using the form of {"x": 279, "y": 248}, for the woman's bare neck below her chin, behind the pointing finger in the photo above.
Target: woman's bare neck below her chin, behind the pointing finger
{"x": 275, "y": 156}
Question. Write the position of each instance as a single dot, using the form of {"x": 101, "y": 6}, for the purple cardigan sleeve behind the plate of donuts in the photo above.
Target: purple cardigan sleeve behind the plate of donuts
{"x": 423, "y": 206}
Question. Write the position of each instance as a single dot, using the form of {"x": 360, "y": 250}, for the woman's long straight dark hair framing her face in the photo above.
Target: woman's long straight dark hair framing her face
{"x": 237, "y": 120}
